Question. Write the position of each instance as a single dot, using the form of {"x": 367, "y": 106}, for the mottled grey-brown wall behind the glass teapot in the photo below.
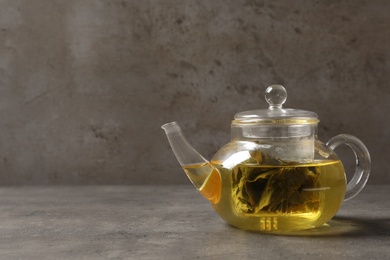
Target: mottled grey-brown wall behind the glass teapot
{"x": 86, "y": 84}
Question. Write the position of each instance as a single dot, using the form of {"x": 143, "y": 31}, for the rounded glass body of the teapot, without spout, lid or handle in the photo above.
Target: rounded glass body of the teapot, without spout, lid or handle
{"x": 268, "y": 193}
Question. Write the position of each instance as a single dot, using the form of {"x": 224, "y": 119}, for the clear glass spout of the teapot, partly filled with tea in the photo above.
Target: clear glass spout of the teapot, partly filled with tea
{"x": 205, "y": 176}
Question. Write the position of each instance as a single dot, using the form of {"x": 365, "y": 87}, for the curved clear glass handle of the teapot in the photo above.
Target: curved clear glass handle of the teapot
{"x": 363, "y": 162}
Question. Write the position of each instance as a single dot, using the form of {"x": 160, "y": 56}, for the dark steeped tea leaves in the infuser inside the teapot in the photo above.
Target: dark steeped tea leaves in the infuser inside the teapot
{"x": 282, "y": 188}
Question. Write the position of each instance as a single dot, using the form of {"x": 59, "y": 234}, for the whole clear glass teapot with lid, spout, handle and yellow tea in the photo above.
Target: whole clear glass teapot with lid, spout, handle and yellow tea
{"x": 274, "y": 175}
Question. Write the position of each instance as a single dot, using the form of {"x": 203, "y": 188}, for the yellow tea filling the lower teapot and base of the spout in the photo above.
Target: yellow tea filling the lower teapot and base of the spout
{"x": 267, "y": 198}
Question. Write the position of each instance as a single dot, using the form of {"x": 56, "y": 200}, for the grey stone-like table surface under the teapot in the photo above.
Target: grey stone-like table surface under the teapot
{"x": 173, "y": 222}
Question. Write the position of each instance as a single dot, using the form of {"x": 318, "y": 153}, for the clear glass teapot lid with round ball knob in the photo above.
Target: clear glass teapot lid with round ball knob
{"x": 276, "y": 95}
